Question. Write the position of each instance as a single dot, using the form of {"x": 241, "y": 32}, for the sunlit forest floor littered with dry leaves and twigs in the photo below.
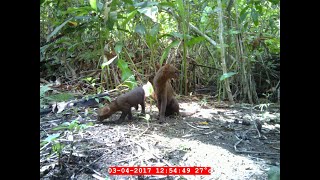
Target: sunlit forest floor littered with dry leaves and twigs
{"x": 225, "y": 138}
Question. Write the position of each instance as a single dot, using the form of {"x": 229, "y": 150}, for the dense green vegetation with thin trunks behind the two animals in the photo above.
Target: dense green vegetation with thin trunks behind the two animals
{"x": 229, "y": 48}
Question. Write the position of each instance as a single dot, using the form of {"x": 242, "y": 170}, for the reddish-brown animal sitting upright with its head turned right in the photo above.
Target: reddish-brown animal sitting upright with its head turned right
{"x": 164, "y": 92}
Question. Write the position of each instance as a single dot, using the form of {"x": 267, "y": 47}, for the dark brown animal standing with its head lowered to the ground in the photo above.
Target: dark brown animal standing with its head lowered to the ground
{"x": 124, "y": 103}
